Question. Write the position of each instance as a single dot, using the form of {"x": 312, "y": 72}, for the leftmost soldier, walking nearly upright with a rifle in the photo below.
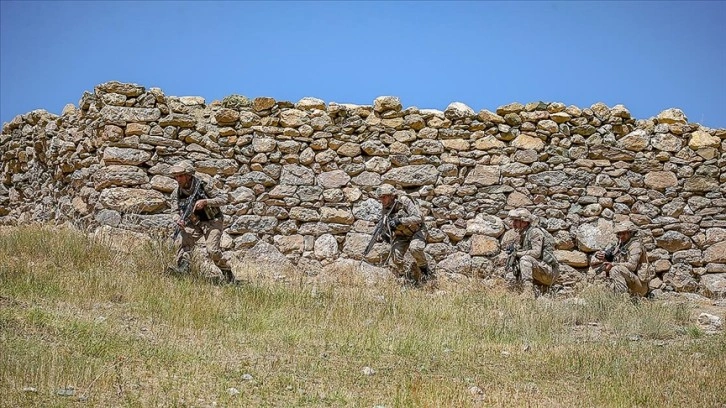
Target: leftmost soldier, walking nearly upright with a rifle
{"x": 204, "y": 218}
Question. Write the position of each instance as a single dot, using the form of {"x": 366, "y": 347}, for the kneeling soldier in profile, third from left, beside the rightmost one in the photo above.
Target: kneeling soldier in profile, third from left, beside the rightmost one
{"x": 534, "y": 252}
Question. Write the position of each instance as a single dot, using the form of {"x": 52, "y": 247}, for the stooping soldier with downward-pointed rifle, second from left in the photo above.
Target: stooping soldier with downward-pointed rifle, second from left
{"x": 405, "y": 229}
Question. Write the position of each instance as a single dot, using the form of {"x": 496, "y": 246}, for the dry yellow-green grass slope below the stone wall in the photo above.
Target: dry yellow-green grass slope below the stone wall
{"x": 110, "y": 329}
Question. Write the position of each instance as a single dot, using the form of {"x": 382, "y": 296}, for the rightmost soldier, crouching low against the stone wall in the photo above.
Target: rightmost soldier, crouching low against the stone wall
{"x": 626, "y": 262}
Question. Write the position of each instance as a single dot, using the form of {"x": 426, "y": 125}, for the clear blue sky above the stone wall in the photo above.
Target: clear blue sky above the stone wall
{"x": 648, "y": 56}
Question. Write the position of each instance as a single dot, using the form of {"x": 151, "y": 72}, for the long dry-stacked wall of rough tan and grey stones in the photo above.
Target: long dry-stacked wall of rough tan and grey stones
{"x": 301, "y": 176}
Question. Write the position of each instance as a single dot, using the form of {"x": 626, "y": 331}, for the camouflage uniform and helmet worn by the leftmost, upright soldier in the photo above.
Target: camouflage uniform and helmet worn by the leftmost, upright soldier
{"x": 207, "y": 222}
